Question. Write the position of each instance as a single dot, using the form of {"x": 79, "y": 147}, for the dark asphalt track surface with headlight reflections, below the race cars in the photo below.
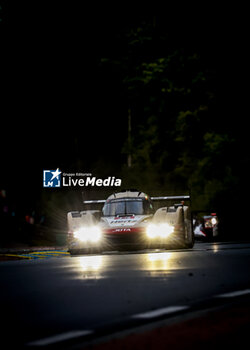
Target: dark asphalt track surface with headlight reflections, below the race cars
{"x": 75, "y": 302}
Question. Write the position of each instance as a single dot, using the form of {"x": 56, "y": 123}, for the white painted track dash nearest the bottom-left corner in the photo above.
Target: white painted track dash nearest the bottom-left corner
{"x": 60, "y": 337}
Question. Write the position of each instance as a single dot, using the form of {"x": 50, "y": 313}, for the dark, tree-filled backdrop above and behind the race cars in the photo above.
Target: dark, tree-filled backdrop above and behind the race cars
{"x": 71, "y": 75}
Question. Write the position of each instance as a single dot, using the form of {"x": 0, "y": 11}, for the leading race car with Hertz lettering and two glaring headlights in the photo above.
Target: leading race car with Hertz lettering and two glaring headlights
{"x": 128, "y": 221}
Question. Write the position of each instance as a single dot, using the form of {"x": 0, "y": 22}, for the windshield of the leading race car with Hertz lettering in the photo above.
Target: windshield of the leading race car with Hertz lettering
{"x": 127, "y": 207}
